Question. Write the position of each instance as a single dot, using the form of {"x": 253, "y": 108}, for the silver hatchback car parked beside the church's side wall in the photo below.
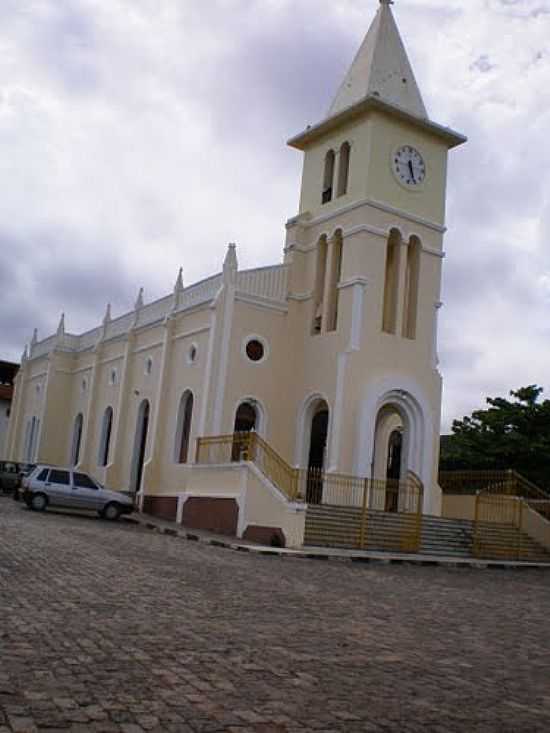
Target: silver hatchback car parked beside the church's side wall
{"x": 63, "y": 487}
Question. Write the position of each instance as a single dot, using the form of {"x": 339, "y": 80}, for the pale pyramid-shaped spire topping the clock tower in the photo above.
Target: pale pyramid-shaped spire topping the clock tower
{"x": 381, "y": 68}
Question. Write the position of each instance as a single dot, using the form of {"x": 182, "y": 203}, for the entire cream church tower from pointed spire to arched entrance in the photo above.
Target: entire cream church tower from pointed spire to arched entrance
{"x": 365, "y": 254}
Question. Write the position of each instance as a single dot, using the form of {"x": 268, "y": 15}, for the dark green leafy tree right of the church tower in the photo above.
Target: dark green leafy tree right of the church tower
{"x": 508, "y": 434}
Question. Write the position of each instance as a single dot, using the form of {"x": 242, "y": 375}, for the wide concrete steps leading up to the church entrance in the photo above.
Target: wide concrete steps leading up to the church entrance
{"x": 334, "y": 526}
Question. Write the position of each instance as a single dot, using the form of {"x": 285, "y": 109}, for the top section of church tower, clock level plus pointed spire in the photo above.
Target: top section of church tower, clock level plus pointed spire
{"x": 377, "y": 142}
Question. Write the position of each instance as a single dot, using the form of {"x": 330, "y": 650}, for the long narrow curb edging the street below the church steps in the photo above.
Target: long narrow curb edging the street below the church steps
{"x": 334, "y": 556}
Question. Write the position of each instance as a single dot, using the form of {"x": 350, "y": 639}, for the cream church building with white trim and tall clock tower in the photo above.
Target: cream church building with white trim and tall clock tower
{"x": 235, "y": 403}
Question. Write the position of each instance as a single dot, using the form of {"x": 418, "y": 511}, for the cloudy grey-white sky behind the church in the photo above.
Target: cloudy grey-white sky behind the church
{"x": 138, "y": 136}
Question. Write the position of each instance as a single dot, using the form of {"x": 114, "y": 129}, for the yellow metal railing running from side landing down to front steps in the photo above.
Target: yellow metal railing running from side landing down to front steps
{"x": 403, "y": 500}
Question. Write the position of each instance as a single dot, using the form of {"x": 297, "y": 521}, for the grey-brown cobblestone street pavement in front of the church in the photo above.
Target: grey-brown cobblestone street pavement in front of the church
{"x": 108, "y": 627}
